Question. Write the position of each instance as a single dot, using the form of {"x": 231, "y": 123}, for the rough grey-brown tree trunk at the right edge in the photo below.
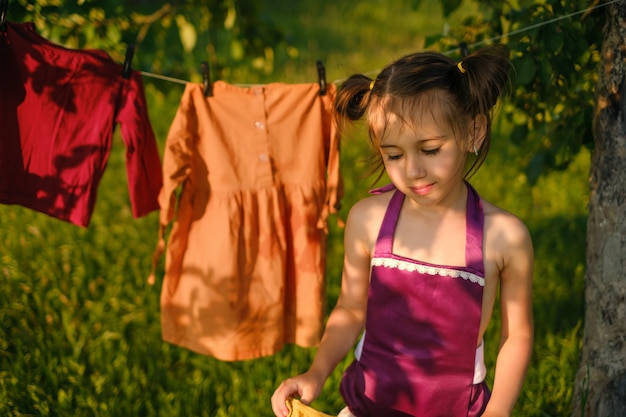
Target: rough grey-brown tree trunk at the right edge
{"x": 600, "y": 387}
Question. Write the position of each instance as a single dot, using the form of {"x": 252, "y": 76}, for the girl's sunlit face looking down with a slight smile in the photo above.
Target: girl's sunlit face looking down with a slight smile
{"x": 424, "y": 160}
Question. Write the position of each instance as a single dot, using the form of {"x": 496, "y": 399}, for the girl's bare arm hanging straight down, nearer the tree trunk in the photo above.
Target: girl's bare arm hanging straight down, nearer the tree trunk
{"x": 517, "y": 319}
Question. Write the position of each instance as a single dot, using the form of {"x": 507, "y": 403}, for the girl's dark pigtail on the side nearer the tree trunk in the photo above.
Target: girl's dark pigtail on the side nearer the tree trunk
{"x": 480, "y": 79}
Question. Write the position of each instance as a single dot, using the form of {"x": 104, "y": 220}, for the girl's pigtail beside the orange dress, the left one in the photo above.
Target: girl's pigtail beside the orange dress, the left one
{"x": 352, "y": 98}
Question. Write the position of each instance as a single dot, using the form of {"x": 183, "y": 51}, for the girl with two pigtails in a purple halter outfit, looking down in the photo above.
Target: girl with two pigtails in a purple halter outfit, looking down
{"x": 424, "y": 256}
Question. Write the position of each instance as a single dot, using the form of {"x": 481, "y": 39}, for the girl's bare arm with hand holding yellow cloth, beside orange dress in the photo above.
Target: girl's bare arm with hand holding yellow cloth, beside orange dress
{"x": 345, "y": 322}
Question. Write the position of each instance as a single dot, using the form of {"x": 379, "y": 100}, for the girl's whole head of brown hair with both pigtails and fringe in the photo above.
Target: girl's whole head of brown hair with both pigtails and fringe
{"x": 455, "y": 93}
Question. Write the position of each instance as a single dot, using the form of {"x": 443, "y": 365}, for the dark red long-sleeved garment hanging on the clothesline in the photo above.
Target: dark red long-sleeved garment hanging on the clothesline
{"x": 58, "y": 111}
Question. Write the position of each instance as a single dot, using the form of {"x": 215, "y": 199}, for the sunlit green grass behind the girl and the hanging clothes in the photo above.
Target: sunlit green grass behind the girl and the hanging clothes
{"x": 80, "y": 326}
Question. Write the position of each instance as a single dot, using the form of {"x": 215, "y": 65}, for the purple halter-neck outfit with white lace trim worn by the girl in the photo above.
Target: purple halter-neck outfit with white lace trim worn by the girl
{"x": 422, "y": 325}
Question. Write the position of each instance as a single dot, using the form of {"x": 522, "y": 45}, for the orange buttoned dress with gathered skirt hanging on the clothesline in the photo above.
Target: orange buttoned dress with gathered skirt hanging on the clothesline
{"x": 250, "y": 176}
